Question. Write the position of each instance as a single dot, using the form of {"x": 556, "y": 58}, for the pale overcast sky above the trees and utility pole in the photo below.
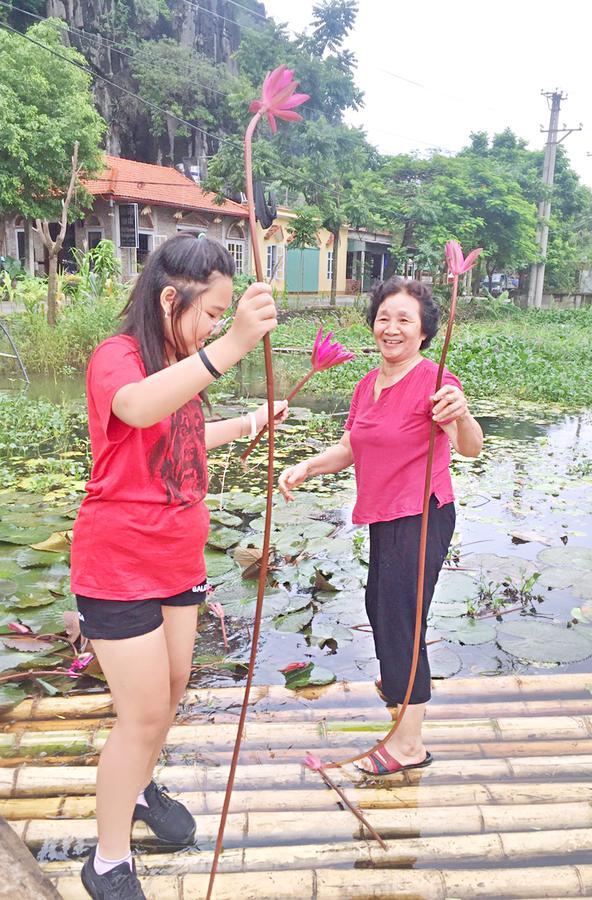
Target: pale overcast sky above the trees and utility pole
{"x": 434, "y": 71}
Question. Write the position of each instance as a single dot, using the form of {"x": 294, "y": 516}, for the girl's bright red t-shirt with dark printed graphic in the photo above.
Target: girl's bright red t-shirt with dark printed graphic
{"x": 143, "y": 525}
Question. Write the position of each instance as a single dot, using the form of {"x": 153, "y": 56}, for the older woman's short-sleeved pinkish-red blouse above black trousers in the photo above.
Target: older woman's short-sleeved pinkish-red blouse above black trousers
{"x": 389, "y": 440}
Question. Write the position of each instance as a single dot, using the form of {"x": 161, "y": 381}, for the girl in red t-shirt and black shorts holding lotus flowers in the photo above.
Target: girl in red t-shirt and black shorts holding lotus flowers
{"x": 138, "y": 568}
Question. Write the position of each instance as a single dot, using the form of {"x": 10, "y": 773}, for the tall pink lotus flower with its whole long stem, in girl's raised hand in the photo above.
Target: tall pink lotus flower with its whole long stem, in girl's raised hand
{"x": 277, "y": 100}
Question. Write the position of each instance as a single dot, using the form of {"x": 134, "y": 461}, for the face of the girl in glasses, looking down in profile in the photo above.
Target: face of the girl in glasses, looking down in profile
{"x": 201, "y": 318}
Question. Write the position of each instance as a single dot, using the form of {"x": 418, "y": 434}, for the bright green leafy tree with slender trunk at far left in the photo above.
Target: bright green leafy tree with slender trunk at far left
{"x": 46, "y": 110}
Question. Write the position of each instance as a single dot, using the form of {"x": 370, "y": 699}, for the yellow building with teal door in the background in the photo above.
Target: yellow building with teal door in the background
{"x": 300, "y": 271}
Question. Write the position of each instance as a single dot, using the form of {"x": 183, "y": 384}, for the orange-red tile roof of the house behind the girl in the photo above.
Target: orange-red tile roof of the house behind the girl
{"x": 125, "y": 179}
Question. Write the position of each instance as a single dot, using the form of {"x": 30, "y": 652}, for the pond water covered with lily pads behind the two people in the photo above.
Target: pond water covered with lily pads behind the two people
{"x": 516, "y": 594}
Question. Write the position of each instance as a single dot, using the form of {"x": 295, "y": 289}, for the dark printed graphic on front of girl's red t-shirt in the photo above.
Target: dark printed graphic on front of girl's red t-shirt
{"x": 180, "y": 459}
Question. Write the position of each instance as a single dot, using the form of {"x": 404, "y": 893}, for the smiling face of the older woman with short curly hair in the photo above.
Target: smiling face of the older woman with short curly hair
{"x": 397, "y": 328}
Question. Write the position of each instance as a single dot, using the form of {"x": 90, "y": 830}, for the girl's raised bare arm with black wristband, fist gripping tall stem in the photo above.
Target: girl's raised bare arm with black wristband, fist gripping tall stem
{"x": 146, "y": 402}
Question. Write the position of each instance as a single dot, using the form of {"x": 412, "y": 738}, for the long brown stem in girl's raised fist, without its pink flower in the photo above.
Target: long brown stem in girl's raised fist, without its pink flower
{"x": 269, "y": 503}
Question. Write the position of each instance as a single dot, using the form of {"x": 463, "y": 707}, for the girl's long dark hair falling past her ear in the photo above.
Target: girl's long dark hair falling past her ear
{"x": 186, "y": 262}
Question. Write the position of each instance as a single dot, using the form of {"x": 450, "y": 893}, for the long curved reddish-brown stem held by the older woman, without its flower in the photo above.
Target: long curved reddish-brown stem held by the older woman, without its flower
{"x": 422, "y": 551}
